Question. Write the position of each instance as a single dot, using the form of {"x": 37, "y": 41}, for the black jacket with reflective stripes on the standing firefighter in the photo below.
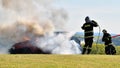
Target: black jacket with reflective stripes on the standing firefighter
{"x": 88, "y": 28}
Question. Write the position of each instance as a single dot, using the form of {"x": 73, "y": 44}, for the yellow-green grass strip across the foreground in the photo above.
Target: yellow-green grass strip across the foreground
{"x": 59, "y": 61}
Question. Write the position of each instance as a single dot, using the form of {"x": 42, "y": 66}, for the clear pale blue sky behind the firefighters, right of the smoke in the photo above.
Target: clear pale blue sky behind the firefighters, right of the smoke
{"x": 105, "y": 12}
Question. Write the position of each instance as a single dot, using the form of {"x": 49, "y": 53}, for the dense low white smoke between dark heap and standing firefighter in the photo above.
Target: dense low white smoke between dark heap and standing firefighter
{"x": 59, "y": 44}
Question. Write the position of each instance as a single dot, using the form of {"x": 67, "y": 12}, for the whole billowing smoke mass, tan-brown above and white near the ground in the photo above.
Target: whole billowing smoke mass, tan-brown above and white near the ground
{"x": 33, "y": 19}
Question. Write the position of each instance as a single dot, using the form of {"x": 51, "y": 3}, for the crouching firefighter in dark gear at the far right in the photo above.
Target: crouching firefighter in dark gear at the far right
{"x": 109, "y": 48}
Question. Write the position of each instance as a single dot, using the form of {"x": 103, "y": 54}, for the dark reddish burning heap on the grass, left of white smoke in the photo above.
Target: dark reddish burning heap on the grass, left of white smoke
{"x": 26, "y": 47}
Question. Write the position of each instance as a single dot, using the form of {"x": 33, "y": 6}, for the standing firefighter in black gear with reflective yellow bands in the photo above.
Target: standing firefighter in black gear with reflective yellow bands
{"x": 88, "y": 34}
